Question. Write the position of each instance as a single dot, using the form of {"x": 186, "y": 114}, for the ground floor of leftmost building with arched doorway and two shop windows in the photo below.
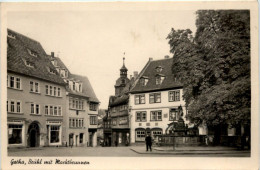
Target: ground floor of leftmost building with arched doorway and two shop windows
{"x": 34, "y": 133}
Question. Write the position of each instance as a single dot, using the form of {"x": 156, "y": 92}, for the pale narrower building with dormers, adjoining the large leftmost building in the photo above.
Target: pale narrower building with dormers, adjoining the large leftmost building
{"x": 81, "y": 107}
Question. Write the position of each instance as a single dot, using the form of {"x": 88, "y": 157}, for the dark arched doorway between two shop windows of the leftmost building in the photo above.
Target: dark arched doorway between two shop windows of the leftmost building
{"x": 34, "y": 135}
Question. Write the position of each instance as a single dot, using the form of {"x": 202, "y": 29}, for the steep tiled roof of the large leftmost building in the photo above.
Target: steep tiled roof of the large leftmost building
{"x": 18, "y": 53}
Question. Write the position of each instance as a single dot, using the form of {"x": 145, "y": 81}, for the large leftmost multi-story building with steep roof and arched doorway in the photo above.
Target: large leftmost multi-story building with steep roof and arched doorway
{"x": 36, "y": 95}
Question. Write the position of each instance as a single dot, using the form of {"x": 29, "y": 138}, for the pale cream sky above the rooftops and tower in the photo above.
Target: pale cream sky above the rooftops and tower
{"x": 92, "y": 43}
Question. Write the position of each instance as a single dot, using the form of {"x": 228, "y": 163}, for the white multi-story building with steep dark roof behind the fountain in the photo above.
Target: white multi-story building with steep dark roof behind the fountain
{"x": 154, "y": 101}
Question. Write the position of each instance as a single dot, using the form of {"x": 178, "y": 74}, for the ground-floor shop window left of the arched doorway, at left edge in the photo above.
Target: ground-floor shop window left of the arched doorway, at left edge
{"x": 15, "y": 134}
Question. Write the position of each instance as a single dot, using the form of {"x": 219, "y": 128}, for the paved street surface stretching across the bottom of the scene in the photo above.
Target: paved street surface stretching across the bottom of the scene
{"x": 133, "y": 151}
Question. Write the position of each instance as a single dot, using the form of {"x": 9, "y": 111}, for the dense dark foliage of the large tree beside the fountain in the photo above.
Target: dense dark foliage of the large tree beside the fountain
{"x": 214, "y": 66}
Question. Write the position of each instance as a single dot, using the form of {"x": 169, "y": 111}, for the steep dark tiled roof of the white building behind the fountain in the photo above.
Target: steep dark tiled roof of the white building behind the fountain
{"x": 151, "y": 72}
